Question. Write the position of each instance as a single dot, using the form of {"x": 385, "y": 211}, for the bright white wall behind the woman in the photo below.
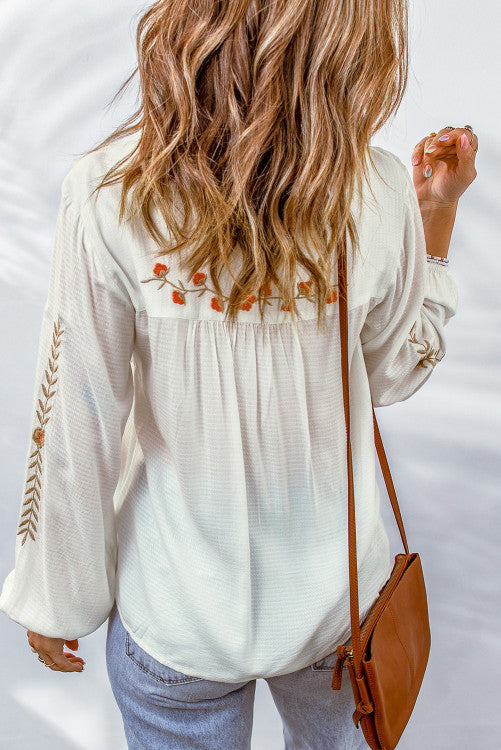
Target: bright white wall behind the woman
{"x": 61, "y": 64}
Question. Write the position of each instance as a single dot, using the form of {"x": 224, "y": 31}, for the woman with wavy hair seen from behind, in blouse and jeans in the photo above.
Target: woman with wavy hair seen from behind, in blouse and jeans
{"x": 186, "y": 474}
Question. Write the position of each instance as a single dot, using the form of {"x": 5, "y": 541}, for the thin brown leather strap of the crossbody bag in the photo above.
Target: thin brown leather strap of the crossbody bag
{"x": 352, "y": 549}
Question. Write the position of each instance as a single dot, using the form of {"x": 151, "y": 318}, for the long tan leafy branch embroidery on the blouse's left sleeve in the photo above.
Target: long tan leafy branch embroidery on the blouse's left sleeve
{"x": 30, "y": 516}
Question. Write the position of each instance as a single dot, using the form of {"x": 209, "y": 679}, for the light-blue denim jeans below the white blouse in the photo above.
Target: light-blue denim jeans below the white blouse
{"x": 163, "y": 708}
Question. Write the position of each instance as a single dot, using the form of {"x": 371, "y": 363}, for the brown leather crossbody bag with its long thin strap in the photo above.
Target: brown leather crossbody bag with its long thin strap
{"x": 388, "y": 653}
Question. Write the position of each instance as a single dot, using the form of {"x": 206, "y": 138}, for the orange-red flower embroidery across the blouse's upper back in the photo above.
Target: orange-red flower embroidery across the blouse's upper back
{"x": 179, "y": 293}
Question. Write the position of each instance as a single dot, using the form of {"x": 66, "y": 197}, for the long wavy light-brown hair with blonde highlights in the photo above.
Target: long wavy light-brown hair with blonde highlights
{"x": 258, "y": 114}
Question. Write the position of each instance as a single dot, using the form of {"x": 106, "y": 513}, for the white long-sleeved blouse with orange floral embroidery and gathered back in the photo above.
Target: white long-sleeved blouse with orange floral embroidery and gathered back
{"x": 195, "y": 473}
